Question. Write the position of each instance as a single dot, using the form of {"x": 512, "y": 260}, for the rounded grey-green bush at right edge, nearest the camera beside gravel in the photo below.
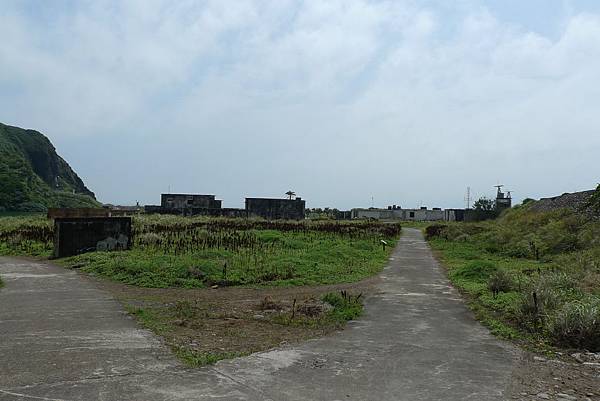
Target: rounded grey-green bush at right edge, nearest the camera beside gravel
{"x": 577, "y": 325}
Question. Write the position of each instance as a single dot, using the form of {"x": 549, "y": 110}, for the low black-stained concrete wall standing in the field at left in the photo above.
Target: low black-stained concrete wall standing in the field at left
{"x": 73, "y": 236}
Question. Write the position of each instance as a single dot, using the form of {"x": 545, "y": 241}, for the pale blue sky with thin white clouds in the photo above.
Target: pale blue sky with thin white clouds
{"x": 349, "y": 103}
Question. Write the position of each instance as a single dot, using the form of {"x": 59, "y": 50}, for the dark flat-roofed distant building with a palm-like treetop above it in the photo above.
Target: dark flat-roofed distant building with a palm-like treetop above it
{"x": 275, "y": 208}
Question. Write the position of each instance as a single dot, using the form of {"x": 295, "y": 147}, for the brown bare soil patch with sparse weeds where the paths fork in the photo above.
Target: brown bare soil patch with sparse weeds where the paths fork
{"x": 205, "y": 325}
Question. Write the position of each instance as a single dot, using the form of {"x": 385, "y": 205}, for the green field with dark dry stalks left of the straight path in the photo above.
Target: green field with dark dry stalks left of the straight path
{"x": 171, "y": 251}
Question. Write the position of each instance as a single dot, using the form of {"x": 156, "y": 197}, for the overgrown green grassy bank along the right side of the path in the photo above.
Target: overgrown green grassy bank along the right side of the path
{"x": 530, "y": 275}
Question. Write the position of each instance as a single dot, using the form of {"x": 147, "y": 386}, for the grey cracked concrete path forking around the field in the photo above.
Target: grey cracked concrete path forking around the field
{"x": 63, "y": 339}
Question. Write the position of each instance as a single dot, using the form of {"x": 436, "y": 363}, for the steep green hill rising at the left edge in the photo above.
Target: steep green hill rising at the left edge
{"x": 34, "y": 177}
